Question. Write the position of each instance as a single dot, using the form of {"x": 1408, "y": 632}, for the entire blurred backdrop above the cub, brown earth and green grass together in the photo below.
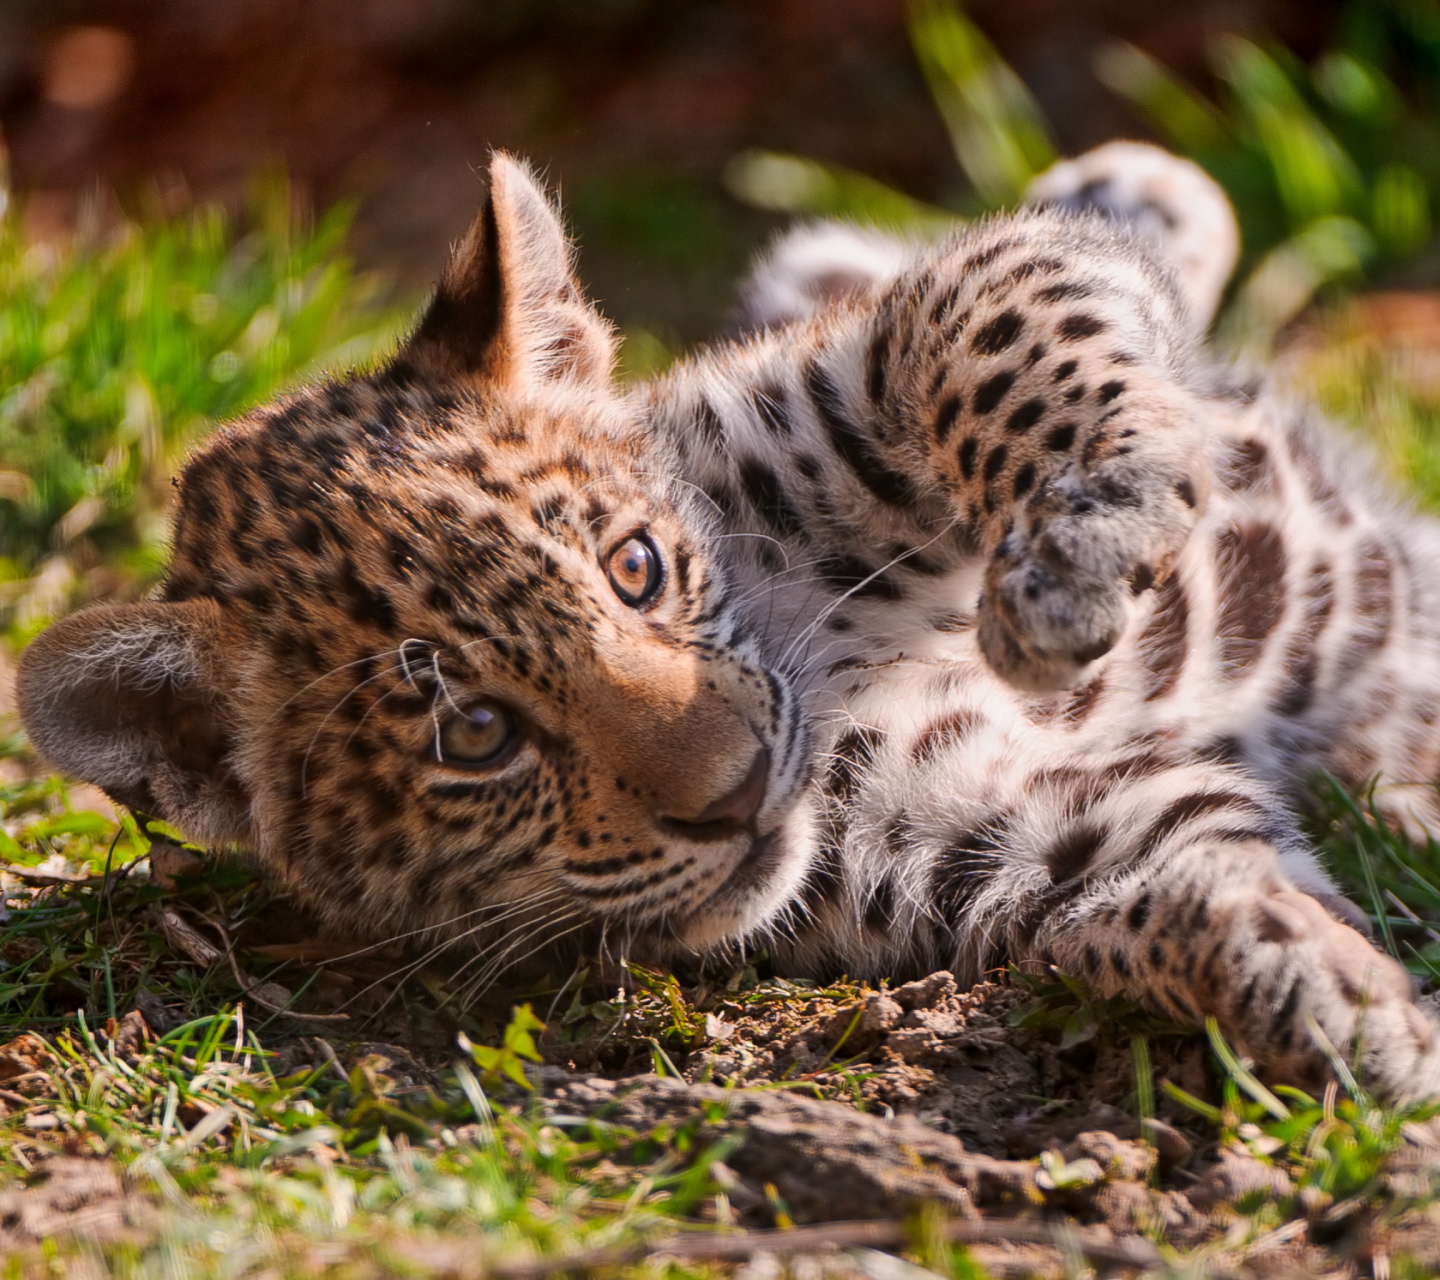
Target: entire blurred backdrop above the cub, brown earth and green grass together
{"x": 210, "y": 199}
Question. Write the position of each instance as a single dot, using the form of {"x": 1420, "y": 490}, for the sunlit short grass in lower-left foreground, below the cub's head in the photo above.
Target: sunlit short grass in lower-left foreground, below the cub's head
{"x": 319, "y": 1171}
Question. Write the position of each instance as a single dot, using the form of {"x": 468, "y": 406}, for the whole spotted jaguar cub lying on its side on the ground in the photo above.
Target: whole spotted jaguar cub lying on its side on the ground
{"x": 970, "y": 617}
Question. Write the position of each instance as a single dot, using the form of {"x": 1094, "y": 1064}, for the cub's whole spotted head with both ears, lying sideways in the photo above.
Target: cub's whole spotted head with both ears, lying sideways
{"x": 446, "y": 644}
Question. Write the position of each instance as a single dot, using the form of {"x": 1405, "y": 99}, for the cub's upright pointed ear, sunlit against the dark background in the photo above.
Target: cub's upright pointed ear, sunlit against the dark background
{"x": 508, "y": 309}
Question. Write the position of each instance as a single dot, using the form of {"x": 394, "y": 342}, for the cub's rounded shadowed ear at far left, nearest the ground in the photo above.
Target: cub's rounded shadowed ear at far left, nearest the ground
{"x": 130, "y": 700}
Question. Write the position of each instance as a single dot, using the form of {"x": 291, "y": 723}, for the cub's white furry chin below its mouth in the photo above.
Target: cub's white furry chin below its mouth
{"x": 758, "y": 892}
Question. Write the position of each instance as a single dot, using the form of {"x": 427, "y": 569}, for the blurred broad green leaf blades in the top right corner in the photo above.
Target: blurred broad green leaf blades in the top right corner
{"x": 1334, "y": 166}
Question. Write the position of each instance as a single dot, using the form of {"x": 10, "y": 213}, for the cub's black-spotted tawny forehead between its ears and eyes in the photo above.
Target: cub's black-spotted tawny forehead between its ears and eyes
{"x": 394, "y": 480}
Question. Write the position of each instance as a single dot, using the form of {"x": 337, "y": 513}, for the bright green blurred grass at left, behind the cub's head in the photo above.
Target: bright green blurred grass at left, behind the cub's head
{"x": 119, "y": 352}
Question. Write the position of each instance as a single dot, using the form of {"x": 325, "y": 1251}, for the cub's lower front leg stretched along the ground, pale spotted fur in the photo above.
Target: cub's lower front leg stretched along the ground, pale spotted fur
{"x": 967, "y": 829}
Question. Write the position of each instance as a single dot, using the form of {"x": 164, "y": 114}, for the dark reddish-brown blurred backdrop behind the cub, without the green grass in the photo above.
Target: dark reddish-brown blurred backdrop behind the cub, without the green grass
{"x": 634, "y": 107}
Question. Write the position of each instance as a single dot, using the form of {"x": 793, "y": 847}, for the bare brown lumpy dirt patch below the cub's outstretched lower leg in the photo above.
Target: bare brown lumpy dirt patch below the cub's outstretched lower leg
{"x": 958, "y": 1102}
